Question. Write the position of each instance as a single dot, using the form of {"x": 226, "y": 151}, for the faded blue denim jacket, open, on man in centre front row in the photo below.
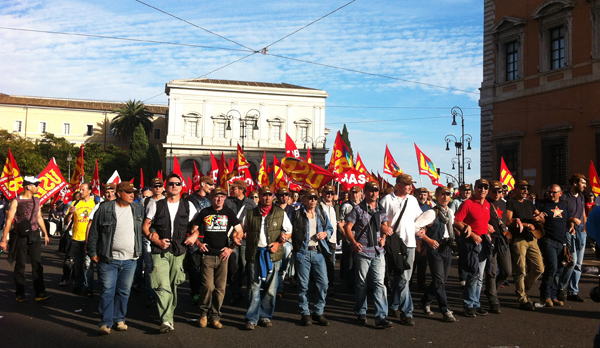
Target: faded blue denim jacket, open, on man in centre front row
{"x": 300, "y": 232}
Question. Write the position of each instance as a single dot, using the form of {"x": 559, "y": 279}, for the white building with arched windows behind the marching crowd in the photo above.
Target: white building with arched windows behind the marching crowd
{"x": 215, "y": 115}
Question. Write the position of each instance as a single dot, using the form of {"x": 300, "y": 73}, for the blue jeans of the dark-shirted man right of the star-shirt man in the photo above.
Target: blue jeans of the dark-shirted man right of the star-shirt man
{"x": 571, "y": 274}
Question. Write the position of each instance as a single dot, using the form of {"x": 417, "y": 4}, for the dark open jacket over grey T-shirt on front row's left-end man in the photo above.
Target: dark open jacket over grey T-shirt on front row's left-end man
{"x": 102, "y": 231}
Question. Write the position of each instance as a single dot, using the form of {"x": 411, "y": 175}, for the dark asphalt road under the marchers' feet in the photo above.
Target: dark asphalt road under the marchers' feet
{"x": 69, "y": 320}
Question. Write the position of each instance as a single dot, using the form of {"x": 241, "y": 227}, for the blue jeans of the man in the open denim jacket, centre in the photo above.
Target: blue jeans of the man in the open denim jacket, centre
{"x": 311, "y": 263}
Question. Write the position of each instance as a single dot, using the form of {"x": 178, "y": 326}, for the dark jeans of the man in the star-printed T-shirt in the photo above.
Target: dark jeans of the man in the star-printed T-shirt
{"x": 552, "y": 254}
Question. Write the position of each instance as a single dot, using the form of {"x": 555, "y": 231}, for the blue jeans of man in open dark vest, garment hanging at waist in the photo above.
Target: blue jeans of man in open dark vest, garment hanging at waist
{"x": 262, "y": 301}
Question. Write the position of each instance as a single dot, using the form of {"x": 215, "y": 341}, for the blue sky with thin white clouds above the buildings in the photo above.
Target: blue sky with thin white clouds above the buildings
{"x": 434, "y": 43}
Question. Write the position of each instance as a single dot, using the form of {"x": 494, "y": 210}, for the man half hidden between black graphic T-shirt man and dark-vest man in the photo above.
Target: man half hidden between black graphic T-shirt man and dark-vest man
{"x": 240, "y": 205}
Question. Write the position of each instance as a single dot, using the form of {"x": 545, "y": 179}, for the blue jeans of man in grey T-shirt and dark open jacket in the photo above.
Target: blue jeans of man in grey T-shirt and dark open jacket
{"x": 115, "y": 282}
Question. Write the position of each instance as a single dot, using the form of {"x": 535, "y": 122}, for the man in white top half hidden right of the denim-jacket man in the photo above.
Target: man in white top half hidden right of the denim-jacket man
{"x": 332, "y": 209}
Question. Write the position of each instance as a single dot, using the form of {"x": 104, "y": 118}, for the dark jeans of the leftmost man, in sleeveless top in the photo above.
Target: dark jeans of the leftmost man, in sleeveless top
{"x": 35, "y": 257}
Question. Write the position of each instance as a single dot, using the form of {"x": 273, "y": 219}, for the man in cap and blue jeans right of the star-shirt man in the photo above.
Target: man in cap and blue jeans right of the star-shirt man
{"x": 575, "y": 199}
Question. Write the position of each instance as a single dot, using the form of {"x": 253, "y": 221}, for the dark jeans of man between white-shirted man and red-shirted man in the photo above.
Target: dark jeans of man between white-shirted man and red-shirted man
{"x": 439, "y": 265}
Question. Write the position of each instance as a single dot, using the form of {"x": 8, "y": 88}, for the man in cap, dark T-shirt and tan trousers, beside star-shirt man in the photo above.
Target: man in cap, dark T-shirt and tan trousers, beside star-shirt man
{"x": 521, "y": 215}
